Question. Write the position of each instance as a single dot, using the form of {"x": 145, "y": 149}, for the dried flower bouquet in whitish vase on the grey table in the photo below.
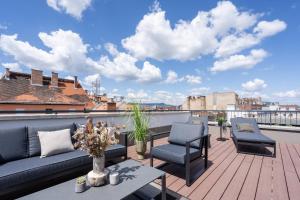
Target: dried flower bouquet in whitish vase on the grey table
{"x": 95, "y": 140}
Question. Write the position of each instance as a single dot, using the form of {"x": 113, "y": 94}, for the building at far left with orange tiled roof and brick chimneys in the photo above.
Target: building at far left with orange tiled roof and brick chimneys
{"x": 22, "y": 91}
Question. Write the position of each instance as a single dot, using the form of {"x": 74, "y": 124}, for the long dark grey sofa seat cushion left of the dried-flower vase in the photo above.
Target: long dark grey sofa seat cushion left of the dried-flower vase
{"x": 36, "y": 168}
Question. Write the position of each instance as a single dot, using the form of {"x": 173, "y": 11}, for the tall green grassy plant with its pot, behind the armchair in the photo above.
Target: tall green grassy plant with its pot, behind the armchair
{"x": 140, "y": 130}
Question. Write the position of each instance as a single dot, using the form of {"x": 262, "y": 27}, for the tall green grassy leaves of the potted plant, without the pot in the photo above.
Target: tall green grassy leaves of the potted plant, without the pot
{"x": 140, "y": 124}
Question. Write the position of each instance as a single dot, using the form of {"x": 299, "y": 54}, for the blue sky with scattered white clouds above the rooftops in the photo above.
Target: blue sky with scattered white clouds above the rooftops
{"x": 159, "y": 51}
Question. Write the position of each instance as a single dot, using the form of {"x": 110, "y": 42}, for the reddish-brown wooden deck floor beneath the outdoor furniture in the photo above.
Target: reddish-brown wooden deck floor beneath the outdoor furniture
{"x": 238, "y": 176}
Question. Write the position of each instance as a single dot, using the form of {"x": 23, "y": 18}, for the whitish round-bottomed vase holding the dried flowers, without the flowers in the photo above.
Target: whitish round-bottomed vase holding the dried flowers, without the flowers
{"x": 98, "y": 176}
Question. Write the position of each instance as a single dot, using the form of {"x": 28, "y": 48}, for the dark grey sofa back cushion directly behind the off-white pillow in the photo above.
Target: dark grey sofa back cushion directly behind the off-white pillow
{"x": 34, "y": 143}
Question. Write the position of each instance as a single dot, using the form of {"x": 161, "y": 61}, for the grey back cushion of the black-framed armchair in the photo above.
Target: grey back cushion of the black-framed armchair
{"x": 183, "y": 132}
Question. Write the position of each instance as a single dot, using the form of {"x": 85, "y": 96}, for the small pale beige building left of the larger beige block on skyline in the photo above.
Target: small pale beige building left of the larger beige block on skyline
{"x": 194, "y": 103}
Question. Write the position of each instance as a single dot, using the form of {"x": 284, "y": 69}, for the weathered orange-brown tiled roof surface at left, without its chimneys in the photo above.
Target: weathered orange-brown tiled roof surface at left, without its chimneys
{"x": 18, "y": 89}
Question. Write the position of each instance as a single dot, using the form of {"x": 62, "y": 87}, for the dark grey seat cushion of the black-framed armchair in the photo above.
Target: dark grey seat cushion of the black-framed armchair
{"x": 173, "y": 153}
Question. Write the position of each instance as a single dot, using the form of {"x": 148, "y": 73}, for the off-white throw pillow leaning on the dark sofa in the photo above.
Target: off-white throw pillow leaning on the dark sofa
{"x": 55, "y": 142}
